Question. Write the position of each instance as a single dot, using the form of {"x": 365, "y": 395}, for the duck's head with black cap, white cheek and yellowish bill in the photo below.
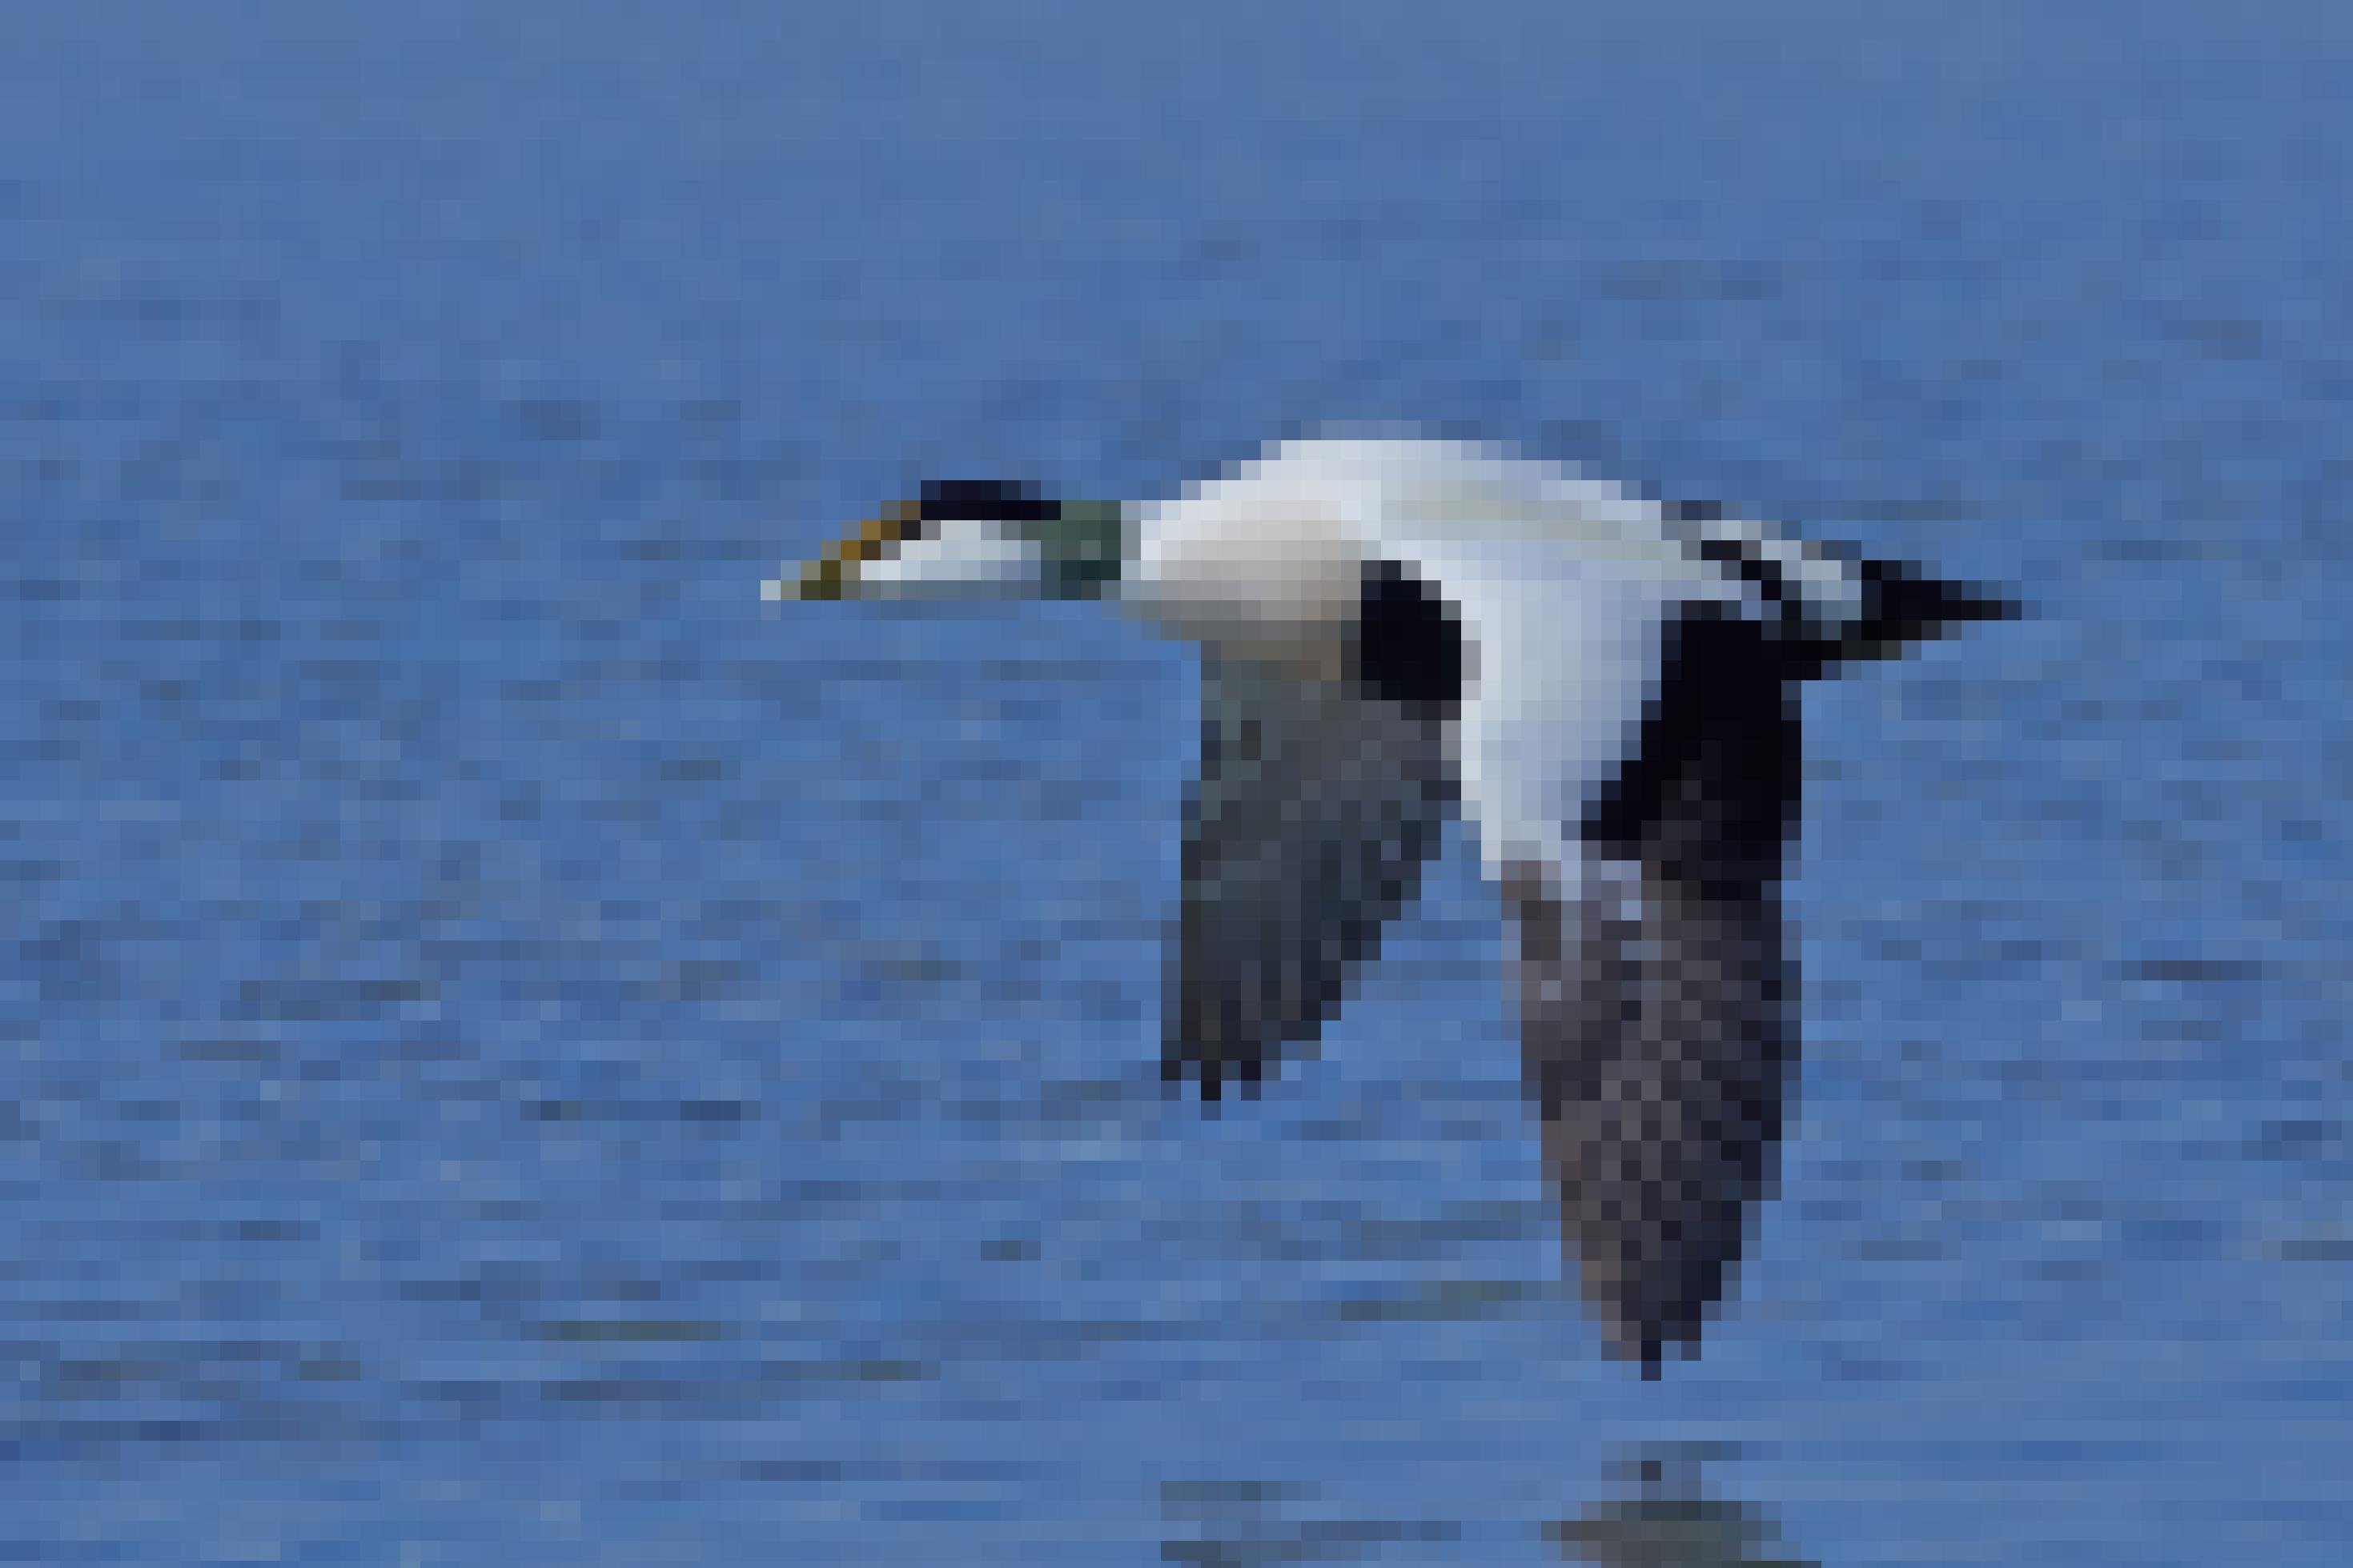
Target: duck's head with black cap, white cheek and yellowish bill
{"x": 971, "y": 540}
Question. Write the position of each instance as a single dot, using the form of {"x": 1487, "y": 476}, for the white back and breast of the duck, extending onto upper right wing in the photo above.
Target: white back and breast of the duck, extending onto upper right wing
{"x": 1564, "y": 587}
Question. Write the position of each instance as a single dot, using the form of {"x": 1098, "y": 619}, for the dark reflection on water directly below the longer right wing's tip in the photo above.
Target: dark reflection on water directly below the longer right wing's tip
{"x": 1662, "y": 1517}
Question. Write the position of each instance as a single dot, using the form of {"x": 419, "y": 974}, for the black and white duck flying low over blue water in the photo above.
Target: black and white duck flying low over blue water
{"x": 1599, "y": 683}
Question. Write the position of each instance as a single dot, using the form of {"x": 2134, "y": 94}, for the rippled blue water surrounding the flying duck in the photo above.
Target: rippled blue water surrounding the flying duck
{"x": 516, "y": 1054}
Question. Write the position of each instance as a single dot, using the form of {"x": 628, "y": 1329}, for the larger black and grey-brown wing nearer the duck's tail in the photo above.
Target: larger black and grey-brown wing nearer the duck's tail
{"x": 1655, "y": 1007}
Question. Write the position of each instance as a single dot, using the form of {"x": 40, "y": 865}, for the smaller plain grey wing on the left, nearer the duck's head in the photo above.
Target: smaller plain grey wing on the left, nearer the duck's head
{"x": 1309, "y": 829}
